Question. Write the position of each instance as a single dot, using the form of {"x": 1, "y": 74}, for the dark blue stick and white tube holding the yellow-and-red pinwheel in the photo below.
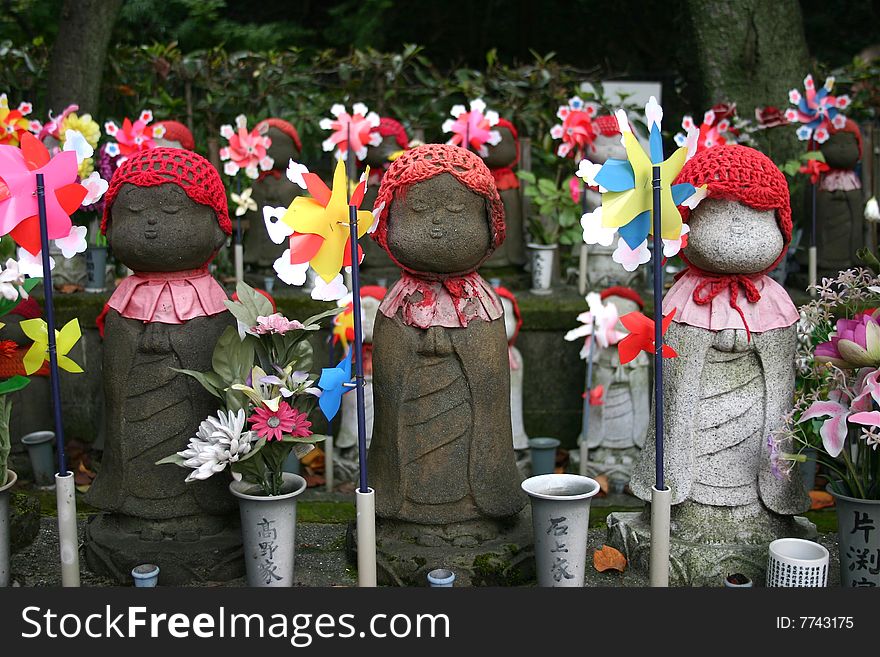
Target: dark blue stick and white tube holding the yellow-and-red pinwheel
{"x": 365, "y": 496}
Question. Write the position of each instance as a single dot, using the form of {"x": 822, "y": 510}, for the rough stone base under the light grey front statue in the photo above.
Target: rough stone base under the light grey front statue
{"x": 703, "y": 550}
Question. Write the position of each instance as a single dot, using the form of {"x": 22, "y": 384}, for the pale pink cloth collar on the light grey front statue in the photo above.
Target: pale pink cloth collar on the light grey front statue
{"x": 774, "y": 309}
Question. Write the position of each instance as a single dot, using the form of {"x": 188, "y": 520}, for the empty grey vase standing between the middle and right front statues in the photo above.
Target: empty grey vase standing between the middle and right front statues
{"x": 560, "y": 519}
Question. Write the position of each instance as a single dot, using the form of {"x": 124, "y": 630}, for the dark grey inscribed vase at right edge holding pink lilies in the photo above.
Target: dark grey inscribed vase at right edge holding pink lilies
{"x": 858, "y": 539}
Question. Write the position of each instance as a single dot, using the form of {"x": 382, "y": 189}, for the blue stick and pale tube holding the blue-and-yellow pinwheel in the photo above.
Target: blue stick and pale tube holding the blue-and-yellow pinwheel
{"x": 661, "y": 496}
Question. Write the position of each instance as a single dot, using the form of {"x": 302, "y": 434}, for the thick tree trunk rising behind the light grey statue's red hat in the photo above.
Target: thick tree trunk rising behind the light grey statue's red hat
{"x": 751, "y": 52}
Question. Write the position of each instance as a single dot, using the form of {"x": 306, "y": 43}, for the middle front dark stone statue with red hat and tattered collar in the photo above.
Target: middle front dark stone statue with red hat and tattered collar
{"x": 441, "y": 450}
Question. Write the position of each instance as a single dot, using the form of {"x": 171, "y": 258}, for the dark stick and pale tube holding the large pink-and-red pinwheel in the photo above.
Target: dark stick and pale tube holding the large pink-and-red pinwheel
{"x": 64, "y": 485}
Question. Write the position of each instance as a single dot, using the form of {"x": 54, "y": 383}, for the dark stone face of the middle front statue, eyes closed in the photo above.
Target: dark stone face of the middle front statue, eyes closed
{"x": 439, "y": 226}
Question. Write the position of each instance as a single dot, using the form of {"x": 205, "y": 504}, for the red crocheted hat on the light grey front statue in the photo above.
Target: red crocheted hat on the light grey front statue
{"x": 740, "y": 173}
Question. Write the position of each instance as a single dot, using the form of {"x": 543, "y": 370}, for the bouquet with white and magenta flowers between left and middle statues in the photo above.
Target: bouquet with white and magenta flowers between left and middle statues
{"x": 260, "y": 374}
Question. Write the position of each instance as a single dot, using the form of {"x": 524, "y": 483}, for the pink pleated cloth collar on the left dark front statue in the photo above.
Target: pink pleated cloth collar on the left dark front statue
{"x": 169, "y": 297}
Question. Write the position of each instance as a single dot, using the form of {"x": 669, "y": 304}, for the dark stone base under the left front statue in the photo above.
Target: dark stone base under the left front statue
{"x": 113, "y": 551}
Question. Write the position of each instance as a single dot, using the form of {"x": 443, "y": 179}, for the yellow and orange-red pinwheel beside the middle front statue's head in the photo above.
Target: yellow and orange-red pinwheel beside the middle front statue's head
{"x": 319, "y": 223}
